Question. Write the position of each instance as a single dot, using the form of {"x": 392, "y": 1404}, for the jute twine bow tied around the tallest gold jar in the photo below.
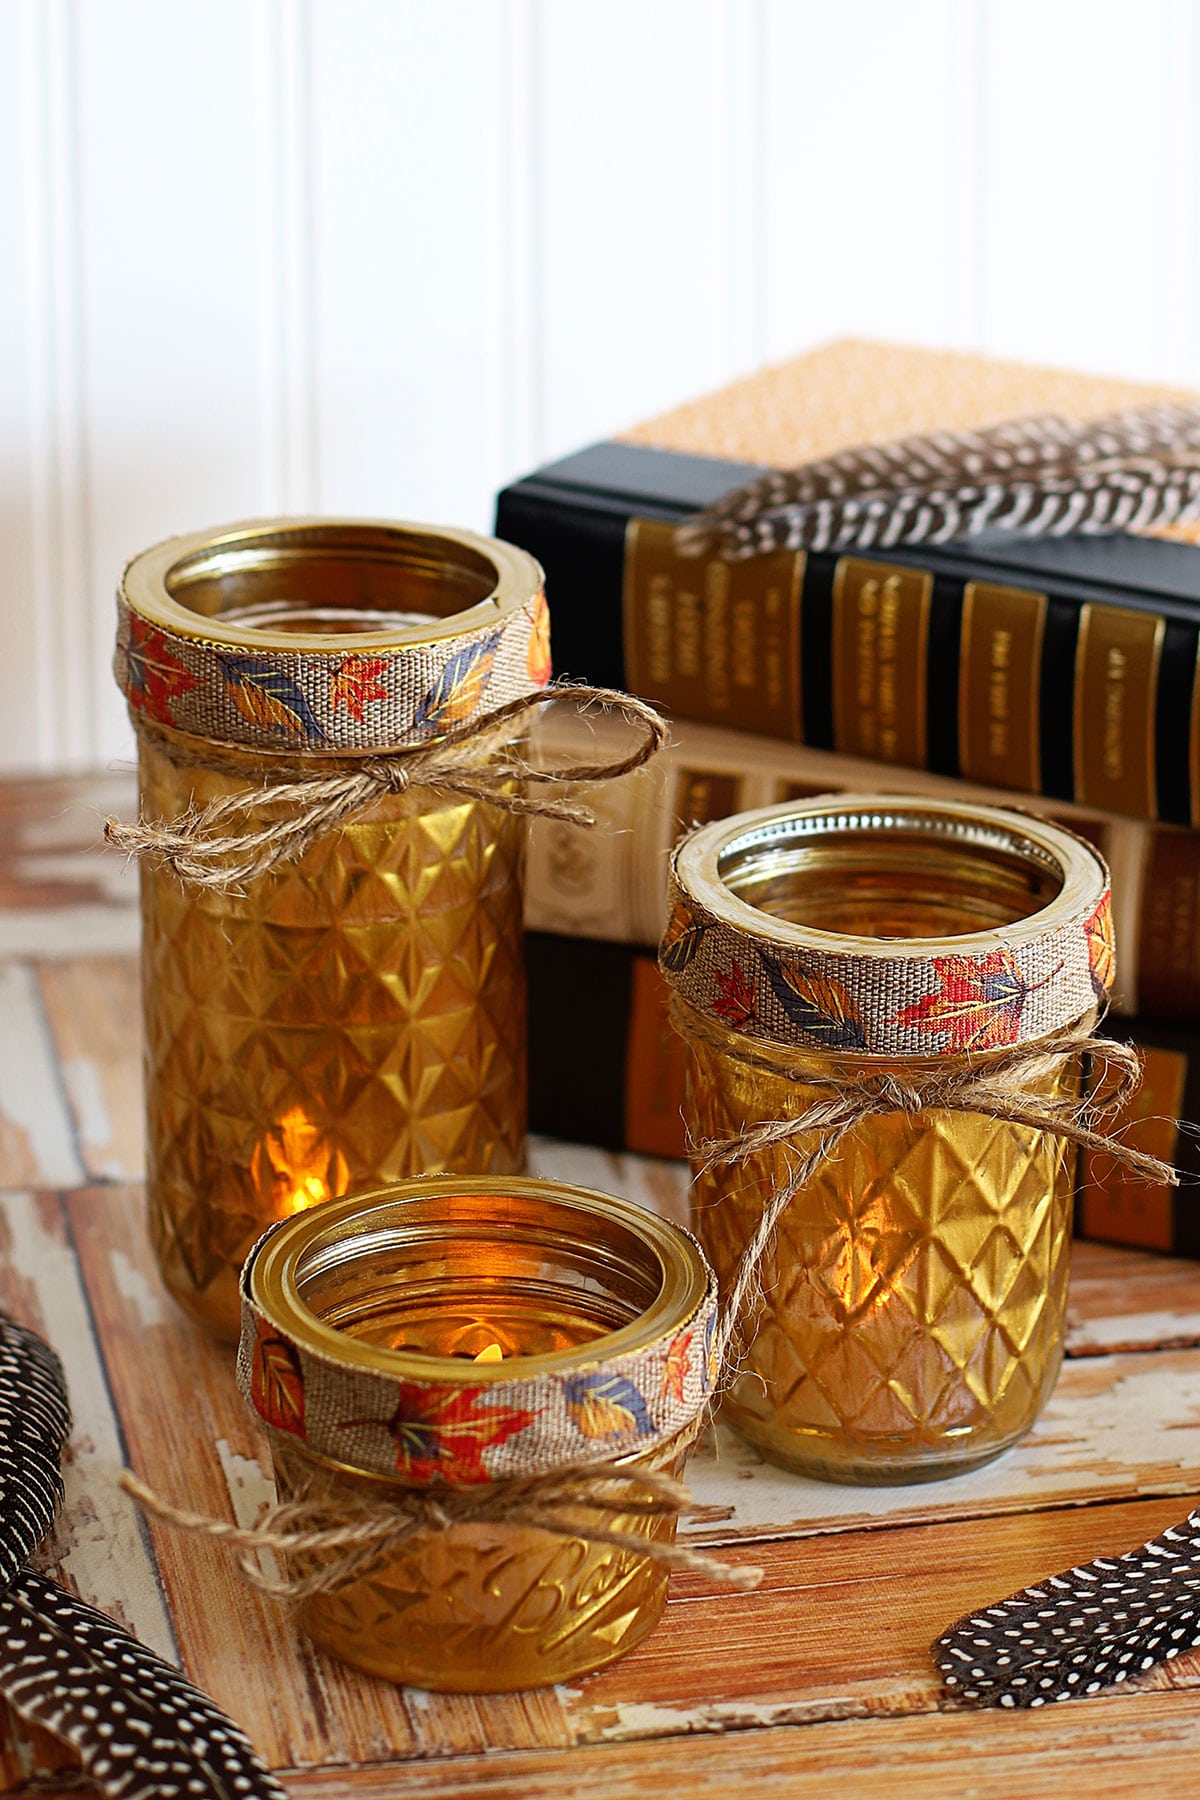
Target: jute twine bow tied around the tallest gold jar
{"x": 479, "y": 760}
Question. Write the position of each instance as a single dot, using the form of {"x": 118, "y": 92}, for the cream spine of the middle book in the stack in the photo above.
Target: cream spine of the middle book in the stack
{"x": 611, "y": 883}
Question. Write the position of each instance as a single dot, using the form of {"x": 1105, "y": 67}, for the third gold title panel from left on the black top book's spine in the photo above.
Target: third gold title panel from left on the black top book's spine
{"x": 1001, "y": 685}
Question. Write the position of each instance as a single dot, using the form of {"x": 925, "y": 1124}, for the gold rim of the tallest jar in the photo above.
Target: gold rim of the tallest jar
{"x": 152, "y": 579}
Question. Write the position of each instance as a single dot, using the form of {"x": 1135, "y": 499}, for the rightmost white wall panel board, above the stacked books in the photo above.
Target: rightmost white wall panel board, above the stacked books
{"x": 1080, "y": 192}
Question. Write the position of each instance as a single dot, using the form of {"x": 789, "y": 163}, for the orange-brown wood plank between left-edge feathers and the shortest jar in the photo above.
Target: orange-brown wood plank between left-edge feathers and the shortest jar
{"x": 192, "y": 1437}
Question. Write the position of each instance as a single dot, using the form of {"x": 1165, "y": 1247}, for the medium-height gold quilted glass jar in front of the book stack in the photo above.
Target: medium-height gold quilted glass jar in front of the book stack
{"x": 908, "y": 1320}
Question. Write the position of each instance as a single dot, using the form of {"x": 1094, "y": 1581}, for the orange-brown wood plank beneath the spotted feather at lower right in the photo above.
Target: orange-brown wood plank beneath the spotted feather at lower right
{"x": 841, "y": 1626}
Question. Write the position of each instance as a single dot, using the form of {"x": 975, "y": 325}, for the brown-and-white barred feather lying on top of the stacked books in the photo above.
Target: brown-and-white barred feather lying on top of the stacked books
{"x": 1043, "y": 478}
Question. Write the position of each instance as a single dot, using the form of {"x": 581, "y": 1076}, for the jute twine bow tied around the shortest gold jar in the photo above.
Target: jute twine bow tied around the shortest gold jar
{"x": 343, "y": 1542}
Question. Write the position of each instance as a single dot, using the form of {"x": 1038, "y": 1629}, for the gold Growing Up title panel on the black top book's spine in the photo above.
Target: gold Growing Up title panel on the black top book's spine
{"x": 1115, "y": 710}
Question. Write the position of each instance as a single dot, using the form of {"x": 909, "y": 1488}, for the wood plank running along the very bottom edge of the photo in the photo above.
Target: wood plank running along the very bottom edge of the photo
{"x": 1091, "y": 1750}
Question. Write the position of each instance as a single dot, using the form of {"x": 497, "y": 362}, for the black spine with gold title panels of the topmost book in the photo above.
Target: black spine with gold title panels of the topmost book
{"x": 909, "y": 660}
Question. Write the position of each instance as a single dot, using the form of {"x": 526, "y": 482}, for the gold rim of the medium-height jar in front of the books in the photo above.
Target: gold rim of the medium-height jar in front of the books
{"x": 703, "y": 859}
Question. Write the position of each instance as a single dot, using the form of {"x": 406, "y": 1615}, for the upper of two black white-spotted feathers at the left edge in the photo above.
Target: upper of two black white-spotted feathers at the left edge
{"x": 35, "y": 1425}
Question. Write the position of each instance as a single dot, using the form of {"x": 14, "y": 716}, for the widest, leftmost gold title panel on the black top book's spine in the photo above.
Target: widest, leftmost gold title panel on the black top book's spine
{"x": 713, "y": 640}
